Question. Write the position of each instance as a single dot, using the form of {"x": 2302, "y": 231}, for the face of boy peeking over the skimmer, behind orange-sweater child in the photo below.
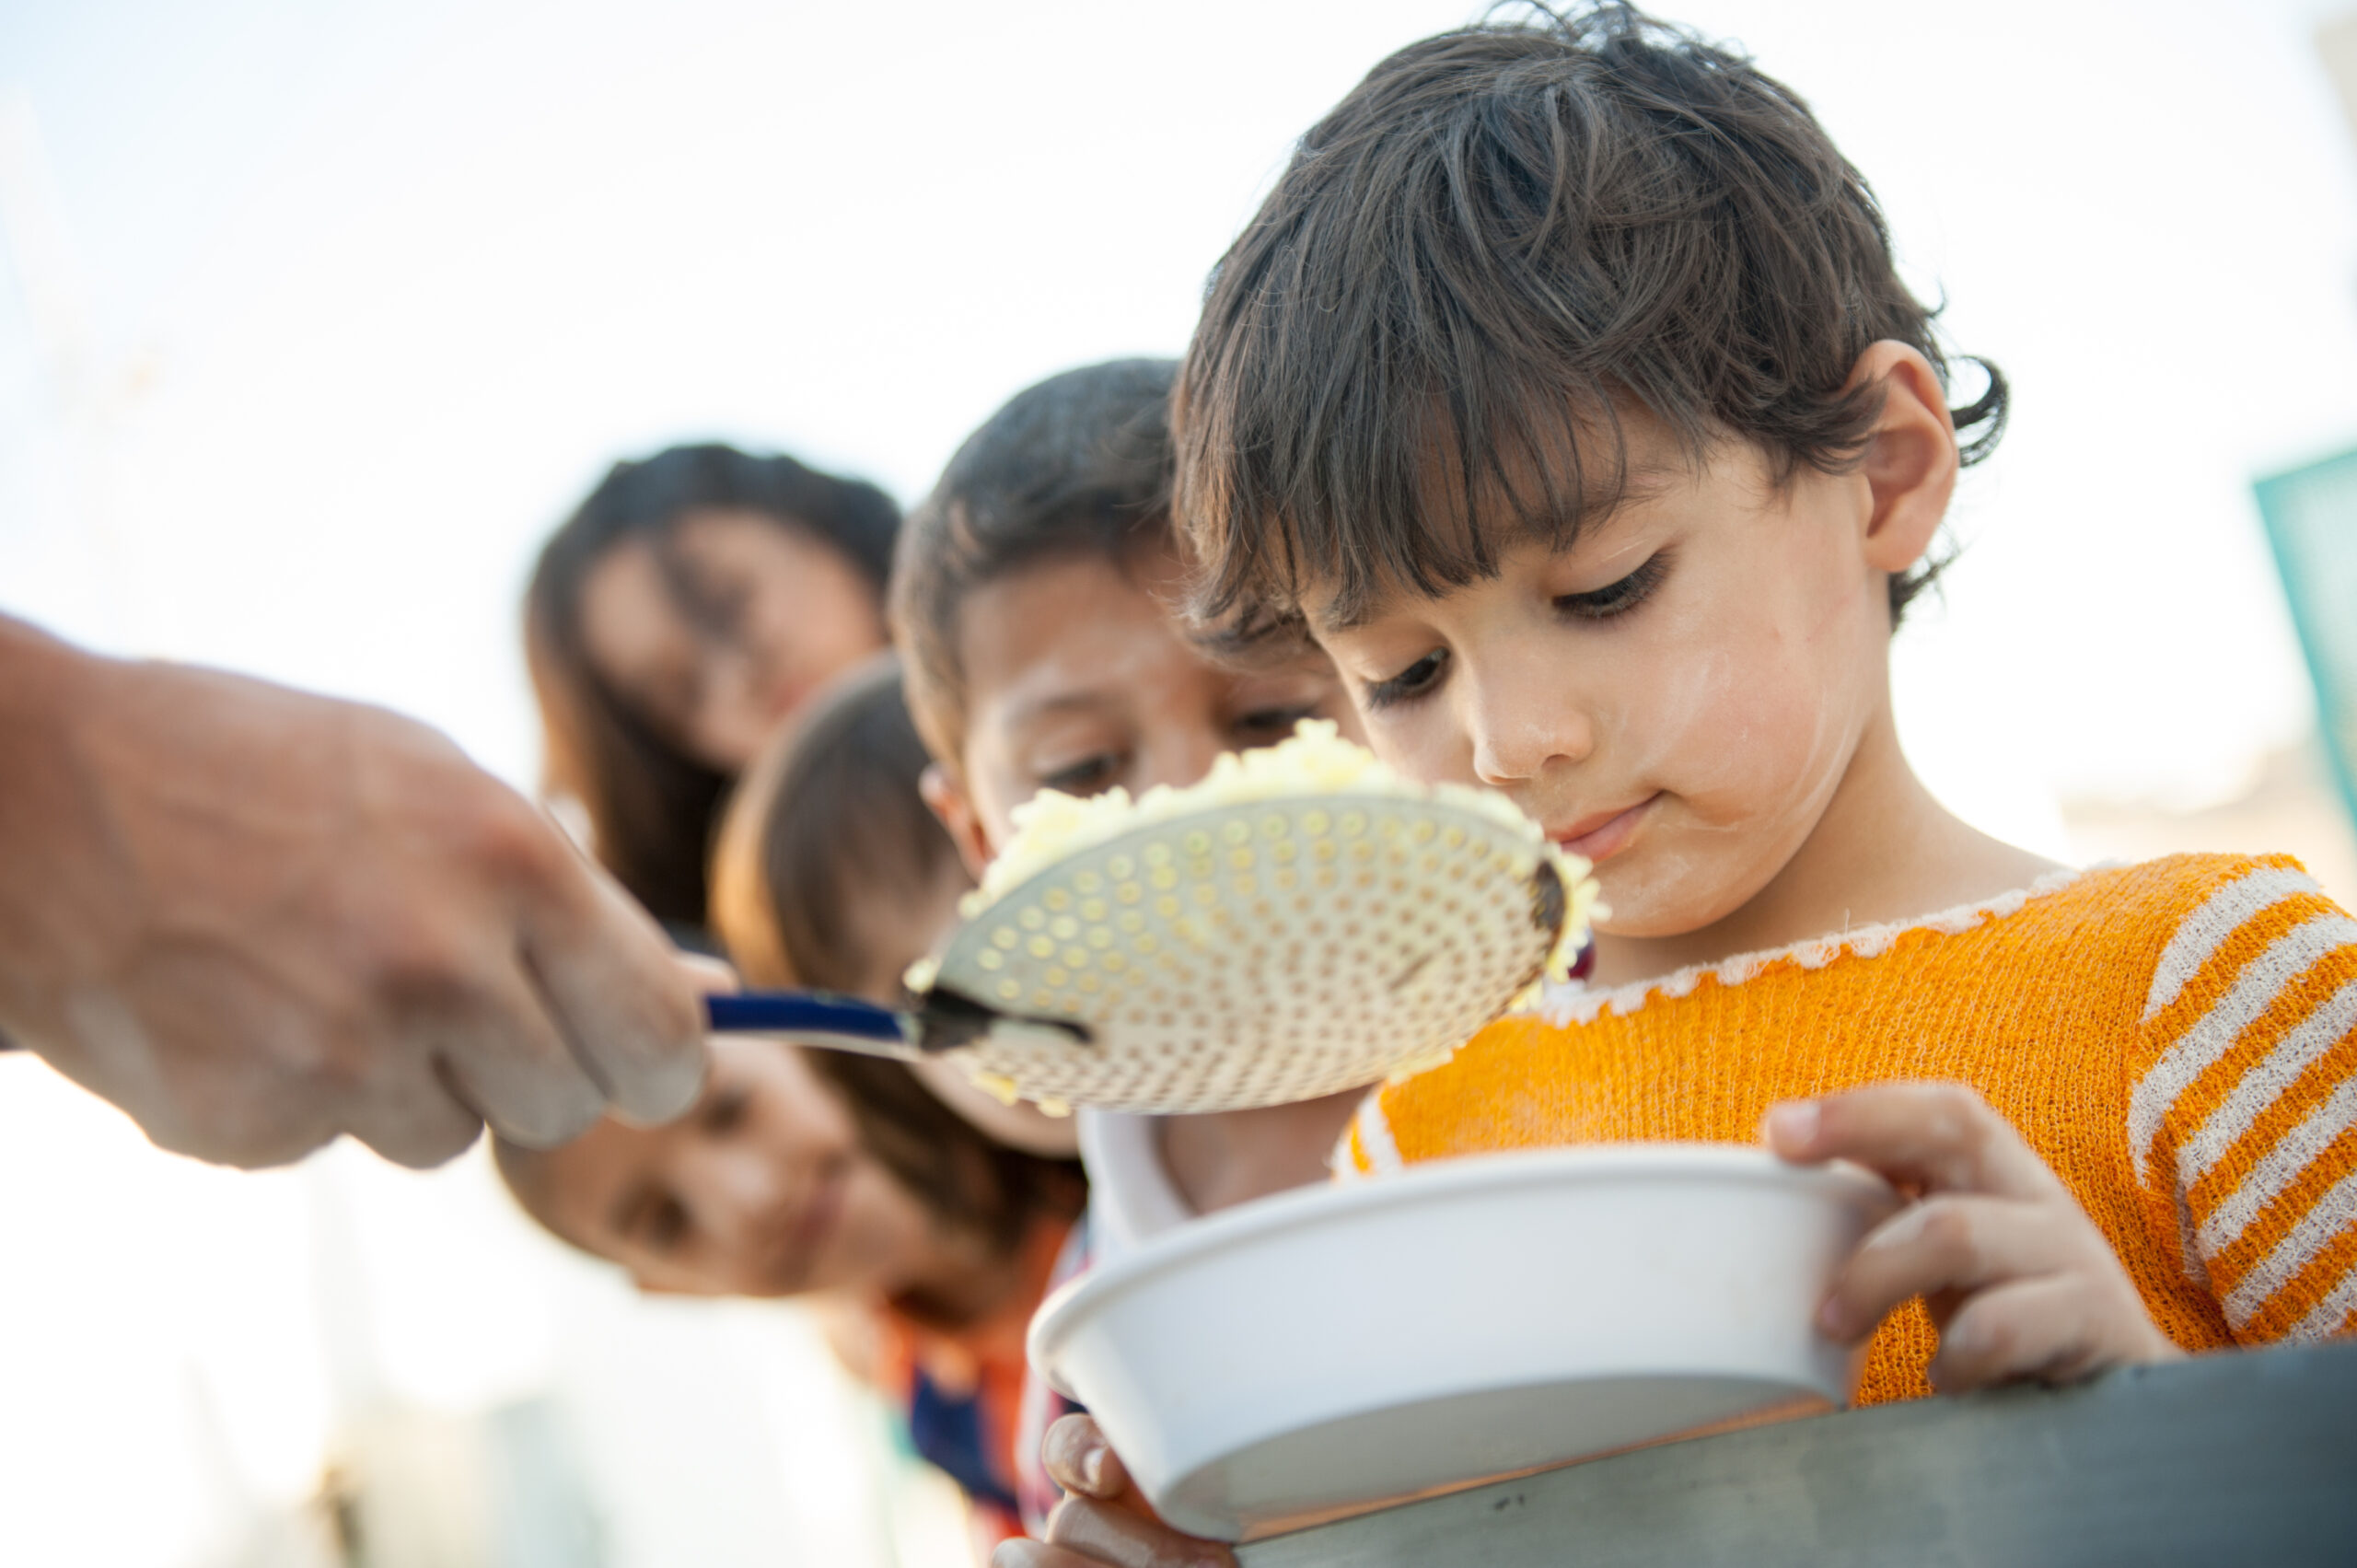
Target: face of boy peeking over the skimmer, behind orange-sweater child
{"x": 1081, "y": 678}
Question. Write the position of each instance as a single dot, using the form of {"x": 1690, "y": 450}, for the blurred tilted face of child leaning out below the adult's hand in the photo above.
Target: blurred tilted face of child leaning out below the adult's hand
{"x": 760, "y": 1192}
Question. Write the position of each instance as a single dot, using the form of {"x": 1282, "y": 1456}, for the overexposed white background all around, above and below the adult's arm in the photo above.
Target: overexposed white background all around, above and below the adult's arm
{"x": 315, "y": 317}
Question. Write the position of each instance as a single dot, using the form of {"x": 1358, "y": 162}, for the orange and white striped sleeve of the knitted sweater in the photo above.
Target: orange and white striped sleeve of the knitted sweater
{"x": 2243, "y": 1105}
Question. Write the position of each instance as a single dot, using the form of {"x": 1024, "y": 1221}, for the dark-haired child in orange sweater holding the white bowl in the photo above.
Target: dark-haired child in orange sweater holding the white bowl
{"x": 1566, "y": 395}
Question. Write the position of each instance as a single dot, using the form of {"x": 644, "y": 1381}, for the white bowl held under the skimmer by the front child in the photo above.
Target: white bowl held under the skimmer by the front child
{"x": 1342, "y": 1348}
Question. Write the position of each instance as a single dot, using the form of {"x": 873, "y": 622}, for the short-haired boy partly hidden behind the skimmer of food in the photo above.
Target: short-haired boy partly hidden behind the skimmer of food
{"x": 1036, "y": 600}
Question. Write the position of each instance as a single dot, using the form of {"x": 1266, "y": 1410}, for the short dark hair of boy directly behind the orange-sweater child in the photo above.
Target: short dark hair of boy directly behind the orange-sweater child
{"x": 1076, "y": 466}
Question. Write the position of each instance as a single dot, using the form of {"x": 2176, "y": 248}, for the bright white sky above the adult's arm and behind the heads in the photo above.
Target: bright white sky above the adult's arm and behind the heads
{"x": 338, "y": 308}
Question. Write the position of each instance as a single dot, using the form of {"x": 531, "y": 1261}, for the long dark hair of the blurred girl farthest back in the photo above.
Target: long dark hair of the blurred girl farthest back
{"x": 649, "y": 805}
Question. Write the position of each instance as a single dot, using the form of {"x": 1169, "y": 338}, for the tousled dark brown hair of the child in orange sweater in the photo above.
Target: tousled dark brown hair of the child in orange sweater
{"x": 1488, "y": 251}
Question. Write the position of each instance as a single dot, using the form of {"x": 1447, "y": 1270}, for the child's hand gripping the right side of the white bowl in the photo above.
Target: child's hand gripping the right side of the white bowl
{"x": 2019, "y": 1279}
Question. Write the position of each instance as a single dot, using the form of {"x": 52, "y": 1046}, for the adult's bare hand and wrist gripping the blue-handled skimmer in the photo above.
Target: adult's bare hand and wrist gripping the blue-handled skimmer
{"x": 256, "y": 921}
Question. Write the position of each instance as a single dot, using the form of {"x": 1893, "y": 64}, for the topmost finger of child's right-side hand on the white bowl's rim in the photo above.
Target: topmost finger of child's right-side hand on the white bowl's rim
{"x": 1927, "y": 1135}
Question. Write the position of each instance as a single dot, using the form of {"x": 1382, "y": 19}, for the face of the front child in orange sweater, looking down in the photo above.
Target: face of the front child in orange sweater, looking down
{"x": 1675, "y": 699}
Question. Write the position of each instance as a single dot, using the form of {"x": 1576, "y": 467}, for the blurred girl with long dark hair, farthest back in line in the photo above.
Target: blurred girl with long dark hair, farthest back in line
{"x": 685, "y": 612}
